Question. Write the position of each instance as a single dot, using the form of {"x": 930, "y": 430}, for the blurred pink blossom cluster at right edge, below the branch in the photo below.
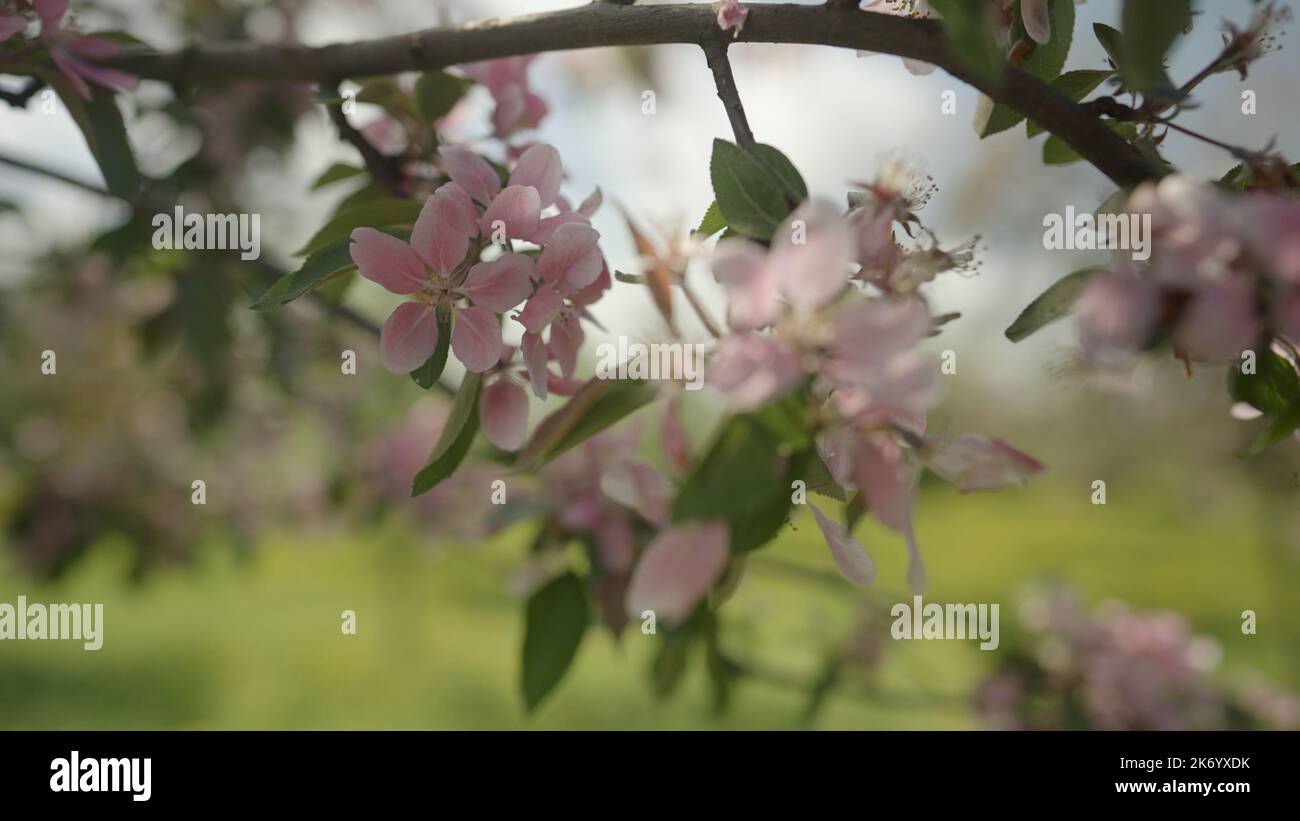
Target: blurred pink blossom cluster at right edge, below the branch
{"x": 1224, "y": 277}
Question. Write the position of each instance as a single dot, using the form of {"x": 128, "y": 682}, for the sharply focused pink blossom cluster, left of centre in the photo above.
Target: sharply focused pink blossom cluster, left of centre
{"x": 462, "y": 271}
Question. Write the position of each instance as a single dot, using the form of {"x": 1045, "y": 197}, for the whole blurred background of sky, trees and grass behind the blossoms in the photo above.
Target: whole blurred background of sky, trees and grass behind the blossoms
{"x": 228, "y": 615}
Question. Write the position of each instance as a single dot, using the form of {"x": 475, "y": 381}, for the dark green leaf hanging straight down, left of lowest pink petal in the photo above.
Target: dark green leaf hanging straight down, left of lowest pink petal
{"x": 554, "y": 623}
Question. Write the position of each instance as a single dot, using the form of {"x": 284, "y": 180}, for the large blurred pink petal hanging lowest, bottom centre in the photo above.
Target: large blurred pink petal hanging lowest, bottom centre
{"x": 678, "y": 570}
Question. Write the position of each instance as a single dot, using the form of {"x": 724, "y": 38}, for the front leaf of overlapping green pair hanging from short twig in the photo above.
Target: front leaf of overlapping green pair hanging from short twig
{"x": 749, "y": 197}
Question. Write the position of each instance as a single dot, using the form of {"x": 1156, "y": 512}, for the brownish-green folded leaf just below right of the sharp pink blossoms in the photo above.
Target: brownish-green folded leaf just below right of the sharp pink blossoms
{"x": 597, "y": 406}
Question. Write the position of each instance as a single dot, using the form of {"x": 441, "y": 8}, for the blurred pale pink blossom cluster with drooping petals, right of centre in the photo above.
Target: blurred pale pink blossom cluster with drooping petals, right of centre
{"x": 800, "y": 322}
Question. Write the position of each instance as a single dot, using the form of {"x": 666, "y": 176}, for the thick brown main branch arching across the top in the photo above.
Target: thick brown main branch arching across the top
{"x": 606, "y": 24}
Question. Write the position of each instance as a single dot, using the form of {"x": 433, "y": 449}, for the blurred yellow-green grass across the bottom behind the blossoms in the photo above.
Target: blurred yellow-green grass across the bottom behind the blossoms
{"x": 252, "y": 641}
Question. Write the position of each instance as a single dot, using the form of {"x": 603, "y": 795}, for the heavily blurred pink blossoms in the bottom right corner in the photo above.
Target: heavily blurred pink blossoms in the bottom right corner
{"x": 1120, "y": 670}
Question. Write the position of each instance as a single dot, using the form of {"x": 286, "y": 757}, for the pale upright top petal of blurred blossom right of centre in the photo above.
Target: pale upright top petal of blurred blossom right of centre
{"x": 812, "y": 251}
